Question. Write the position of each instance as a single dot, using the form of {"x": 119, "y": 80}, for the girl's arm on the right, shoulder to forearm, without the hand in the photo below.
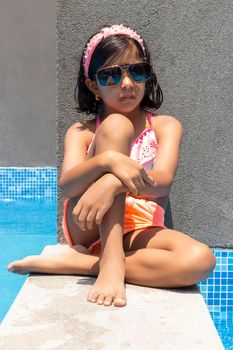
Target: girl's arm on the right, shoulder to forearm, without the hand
{"x": 169, "y": 134}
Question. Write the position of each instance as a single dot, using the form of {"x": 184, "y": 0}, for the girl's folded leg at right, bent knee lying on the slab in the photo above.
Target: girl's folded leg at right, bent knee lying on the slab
{"x": 172, "y": 257}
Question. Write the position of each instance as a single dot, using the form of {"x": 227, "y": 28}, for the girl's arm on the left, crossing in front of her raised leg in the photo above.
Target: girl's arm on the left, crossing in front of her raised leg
{"x": 79, "y": 171}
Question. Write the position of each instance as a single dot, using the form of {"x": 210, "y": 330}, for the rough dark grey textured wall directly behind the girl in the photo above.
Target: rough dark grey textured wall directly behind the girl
{"x": 191, "y": 45}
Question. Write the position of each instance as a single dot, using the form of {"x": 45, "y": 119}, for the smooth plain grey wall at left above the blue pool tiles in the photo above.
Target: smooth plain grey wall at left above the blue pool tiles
{"x": 28, "y": 83}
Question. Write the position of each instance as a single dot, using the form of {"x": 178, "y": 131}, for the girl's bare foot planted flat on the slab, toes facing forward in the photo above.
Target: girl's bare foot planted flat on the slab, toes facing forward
{"x": 109, "y": 285}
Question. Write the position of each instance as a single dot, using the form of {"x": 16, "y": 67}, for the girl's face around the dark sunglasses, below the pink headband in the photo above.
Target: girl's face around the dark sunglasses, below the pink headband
{"x": 127, "y": 95}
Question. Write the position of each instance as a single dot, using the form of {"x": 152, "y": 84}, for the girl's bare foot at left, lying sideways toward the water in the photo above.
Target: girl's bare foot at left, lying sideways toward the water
{"x": 58, "y": 263}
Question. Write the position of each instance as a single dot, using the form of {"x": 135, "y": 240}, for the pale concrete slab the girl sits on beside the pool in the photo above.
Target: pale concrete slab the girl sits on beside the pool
{"x": 51, "y": 312}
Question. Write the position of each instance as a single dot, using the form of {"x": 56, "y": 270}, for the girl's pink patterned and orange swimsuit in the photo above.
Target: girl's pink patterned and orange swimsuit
{"x": 140, "y": 213}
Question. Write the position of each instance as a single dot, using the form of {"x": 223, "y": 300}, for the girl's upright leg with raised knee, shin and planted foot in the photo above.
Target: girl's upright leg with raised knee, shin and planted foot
{"x": 115, "y": 133}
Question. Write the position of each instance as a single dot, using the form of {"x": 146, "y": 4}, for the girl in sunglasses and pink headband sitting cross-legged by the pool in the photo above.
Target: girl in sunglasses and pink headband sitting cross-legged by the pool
{"x": 116, "y": 174}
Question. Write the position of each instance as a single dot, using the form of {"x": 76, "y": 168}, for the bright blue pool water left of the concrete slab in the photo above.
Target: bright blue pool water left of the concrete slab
{"x": 26, "y": 227}
